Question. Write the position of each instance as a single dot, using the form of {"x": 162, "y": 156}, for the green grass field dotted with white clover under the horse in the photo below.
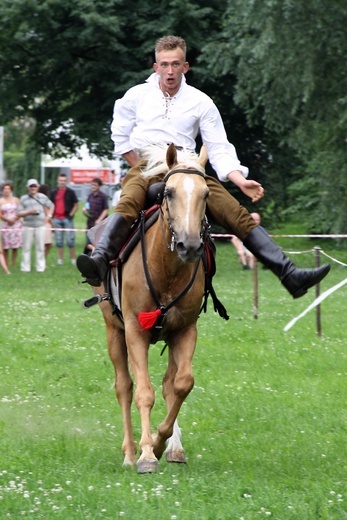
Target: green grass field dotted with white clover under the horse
{"x": 264, "y": 428}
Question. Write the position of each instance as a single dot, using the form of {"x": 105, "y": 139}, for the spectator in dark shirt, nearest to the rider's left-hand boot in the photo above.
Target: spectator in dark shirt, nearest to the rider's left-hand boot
{"x": 95, "y": 209}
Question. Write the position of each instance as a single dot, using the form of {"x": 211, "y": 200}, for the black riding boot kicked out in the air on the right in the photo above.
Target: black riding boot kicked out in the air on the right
{"x": 296, "y": 281}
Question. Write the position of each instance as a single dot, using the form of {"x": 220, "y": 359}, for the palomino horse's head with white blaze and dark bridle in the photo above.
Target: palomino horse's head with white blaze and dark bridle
{"x": 184, "y": 204}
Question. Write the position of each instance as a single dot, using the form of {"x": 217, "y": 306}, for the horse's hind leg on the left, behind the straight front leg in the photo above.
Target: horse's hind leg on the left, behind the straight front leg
{"x": 124, "y": 389}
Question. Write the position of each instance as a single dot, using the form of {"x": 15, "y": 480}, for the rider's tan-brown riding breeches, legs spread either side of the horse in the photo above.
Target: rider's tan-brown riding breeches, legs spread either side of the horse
{"x": 222, "y": 206}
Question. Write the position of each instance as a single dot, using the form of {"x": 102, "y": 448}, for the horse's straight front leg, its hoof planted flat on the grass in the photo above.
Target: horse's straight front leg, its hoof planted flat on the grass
{"x": 144, "y": 399}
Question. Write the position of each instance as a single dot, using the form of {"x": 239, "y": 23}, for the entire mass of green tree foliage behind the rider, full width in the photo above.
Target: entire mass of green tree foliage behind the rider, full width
{"x": 273, "y": 68}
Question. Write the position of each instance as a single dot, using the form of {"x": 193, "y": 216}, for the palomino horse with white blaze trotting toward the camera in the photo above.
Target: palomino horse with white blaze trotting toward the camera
{"x": 174, "y": 246}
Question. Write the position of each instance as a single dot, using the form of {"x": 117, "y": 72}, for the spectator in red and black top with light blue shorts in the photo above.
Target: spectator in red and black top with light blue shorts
{"x": 65, "y": 206}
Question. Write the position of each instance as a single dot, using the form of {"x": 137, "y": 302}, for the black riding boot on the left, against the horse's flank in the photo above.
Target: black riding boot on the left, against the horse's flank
{"x": 94, "y": 267}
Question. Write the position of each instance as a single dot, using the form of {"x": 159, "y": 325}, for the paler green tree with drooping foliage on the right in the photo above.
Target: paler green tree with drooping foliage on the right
{"x": 287, "y": 58}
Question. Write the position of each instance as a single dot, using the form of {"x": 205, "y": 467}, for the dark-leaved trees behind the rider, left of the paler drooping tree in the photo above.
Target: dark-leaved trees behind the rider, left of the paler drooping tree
{"x": 66, "y": 62}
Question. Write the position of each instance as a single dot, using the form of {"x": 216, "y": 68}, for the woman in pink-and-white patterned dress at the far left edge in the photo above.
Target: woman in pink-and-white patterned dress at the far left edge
{"x": 11, "y": 224}
